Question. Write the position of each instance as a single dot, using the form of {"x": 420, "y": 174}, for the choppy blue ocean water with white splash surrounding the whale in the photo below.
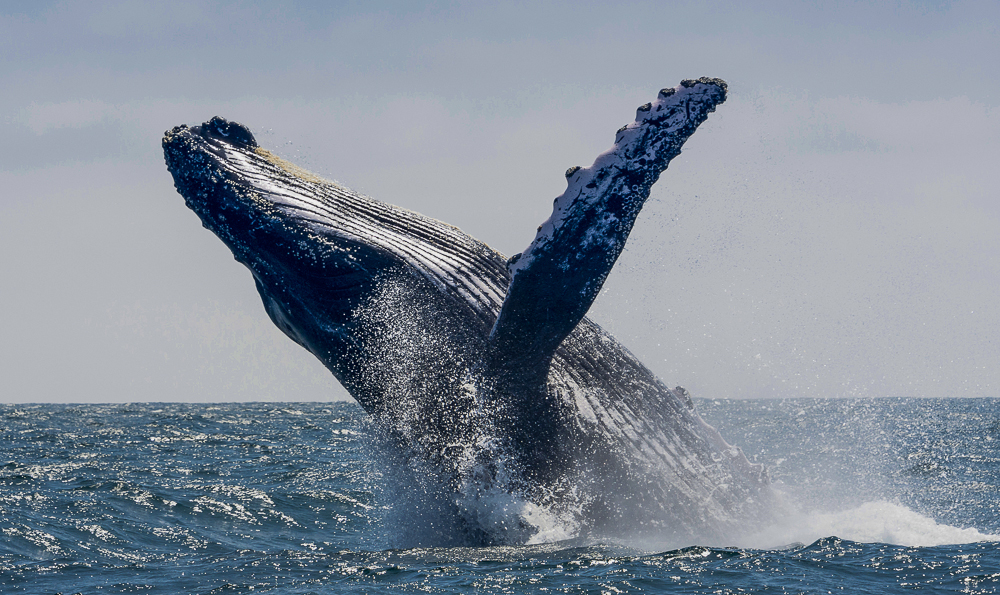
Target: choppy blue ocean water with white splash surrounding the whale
{"x": 879, "y": 496}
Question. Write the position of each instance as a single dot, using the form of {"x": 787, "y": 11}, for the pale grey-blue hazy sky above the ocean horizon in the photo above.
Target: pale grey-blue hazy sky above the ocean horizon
{"x": 833, "y": 230}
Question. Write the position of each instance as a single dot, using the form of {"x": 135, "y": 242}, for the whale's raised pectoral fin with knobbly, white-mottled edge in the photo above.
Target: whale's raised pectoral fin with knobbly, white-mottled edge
{"x": 557, "y": 278}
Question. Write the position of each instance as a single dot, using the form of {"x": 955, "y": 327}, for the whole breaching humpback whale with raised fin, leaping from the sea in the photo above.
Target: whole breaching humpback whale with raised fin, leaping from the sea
{"x": 484, "y": 371}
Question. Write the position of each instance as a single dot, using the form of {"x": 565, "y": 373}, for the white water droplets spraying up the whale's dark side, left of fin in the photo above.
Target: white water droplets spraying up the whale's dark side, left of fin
{"x": 460, "y": 487}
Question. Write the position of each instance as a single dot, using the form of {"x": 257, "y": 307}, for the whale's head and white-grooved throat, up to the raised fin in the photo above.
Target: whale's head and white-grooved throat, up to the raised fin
{"x": 319, "y": 251}
